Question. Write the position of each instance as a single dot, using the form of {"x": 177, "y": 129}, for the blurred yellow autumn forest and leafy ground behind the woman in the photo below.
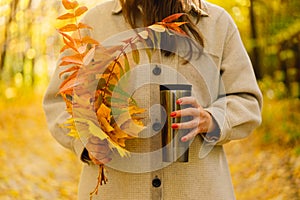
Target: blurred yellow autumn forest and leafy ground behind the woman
{"x": 264, "y": 166}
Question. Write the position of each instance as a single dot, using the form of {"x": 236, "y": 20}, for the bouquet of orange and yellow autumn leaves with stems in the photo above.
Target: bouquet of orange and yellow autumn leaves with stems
{"x": 97, "y": 105}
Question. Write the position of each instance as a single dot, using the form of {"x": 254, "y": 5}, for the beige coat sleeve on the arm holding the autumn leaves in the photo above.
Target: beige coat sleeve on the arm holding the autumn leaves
{"x": 56, "y": 114}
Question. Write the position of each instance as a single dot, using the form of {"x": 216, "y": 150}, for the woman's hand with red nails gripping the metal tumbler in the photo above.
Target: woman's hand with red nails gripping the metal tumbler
{"x": 202, "y": 121}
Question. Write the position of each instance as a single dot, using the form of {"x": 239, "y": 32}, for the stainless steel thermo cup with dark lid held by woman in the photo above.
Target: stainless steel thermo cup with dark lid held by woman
{"x": 173, "y": 149}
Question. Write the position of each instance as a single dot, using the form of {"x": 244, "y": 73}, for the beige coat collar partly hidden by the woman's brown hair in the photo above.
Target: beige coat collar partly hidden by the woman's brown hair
{"x": 202, "y": 9}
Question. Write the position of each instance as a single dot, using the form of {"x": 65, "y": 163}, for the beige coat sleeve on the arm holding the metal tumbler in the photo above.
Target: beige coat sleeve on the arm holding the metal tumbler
{"x": 237, "y": 111}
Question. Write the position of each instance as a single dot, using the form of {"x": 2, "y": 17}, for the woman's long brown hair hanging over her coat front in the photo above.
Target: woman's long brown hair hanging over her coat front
{"x": 156, "y": 10}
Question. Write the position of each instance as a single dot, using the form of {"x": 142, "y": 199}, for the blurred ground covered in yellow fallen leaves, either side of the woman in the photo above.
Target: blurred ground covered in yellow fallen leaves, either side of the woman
{"x": 35, "y": 166}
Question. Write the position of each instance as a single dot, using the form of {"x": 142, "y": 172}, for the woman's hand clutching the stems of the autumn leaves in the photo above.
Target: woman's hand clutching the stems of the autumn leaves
{"x": 99, "y": 150}
